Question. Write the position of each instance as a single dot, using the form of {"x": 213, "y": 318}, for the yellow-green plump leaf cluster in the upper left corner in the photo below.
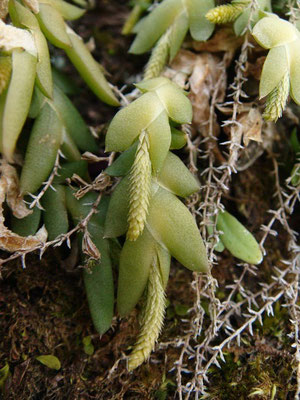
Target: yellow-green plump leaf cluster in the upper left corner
{"x": 25, "y": 62}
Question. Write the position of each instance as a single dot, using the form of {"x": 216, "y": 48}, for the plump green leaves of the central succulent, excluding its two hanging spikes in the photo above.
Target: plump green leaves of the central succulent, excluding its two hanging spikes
{"x": 170, "y": 230}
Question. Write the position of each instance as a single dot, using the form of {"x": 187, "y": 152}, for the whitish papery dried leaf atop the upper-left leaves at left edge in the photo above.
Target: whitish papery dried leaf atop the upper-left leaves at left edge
{"x": 12, "y": 38}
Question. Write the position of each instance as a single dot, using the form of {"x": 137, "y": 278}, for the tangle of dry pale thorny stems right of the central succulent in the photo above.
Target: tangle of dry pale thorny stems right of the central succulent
{"x": 285, "y": 282}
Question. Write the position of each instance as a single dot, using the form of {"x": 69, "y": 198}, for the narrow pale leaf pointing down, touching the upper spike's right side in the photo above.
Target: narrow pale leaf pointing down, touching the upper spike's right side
{"x": 160, "y": 139}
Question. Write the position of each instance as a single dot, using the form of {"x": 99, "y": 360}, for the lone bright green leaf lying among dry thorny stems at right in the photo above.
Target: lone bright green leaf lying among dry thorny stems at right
{"x": 238, "y": 240}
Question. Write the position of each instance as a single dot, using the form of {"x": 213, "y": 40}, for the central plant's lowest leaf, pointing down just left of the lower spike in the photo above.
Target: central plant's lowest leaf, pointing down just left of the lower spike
{"x": 135, "y": 262}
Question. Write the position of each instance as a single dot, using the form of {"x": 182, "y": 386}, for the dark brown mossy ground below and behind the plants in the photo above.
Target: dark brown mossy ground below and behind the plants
{"x": 43, "y": 308}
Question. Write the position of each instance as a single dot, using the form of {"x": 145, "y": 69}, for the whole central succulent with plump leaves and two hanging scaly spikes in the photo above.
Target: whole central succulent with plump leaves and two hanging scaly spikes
{"x": 145, "y": 207}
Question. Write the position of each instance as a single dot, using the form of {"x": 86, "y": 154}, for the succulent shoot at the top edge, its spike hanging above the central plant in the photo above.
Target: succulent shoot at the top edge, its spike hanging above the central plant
{"x": 166, "y": 27}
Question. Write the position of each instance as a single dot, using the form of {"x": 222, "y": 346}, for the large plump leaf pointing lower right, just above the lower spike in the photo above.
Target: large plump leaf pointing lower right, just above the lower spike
{"x": 172, "y": 225}
